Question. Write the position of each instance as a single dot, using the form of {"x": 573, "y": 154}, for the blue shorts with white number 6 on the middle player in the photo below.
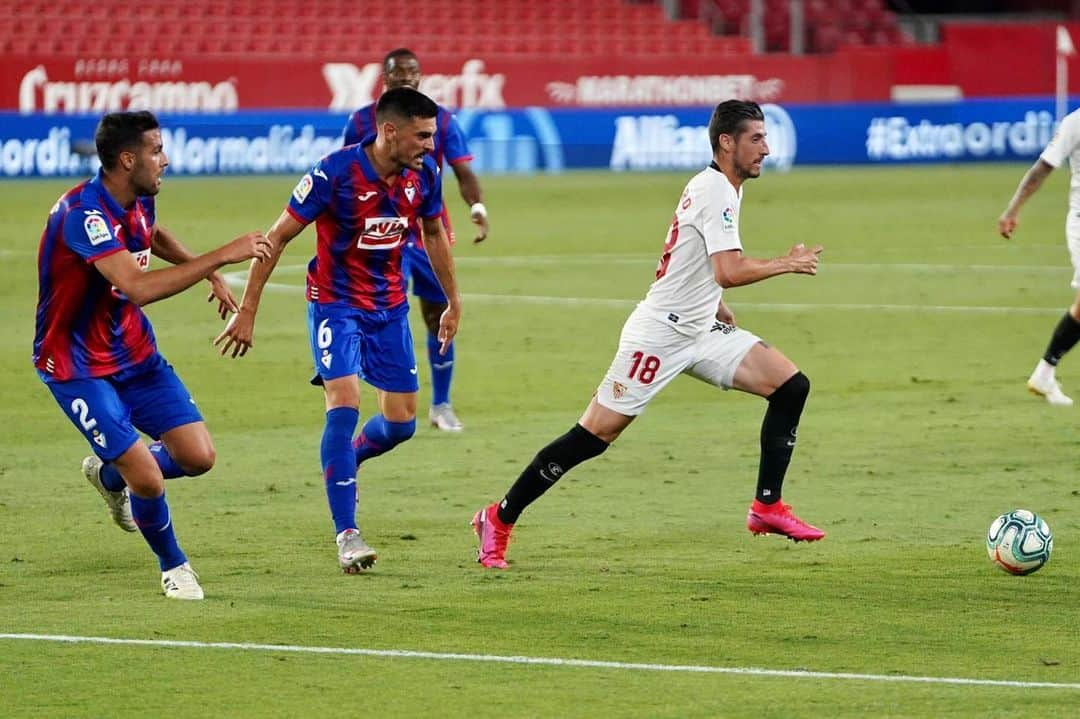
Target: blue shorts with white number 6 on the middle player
{"x": 376, "y": 346}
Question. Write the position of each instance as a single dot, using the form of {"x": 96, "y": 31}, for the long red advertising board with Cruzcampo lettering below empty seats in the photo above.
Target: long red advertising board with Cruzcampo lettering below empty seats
{"x": 201, "y": 85}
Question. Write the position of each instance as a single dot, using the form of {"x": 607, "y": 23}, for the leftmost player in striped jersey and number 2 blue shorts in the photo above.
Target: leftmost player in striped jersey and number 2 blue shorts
{"x": 96, "y": 349}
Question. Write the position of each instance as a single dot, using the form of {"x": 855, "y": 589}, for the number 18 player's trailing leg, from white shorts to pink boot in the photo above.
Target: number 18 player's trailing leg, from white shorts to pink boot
{"x": 650, "y": 357}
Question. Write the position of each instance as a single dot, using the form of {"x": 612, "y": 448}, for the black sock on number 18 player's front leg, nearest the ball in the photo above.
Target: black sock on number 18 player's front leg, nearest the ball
{"x": 779, "y": 431}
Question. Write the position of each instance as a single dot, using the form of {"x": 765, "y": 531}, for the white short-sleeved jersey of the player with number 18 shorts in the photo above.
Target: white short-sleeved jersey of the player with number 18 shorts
{"x": 707, "y": 222}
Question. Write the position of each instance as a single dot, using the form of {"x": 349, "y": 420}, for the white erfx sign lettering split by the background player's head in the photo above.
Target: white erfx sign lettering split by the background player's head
{"x": 356, "y": 87}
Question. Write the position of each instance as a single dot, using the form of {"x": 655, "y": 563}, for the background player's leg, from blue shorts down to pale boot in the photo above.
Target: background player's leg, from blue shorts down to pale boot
{"x": 434, "y": 303}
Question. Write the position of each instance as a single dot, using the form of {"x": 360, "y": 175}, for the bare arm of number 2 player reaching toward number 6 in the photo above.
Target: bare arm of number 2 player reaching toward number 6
{"x": 121, "y": 269}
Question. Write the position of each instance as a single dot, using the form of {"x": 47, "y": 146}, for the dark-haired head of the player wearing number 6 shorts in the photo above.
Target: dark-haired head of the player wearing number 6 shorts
{"x": 407, "y": 123}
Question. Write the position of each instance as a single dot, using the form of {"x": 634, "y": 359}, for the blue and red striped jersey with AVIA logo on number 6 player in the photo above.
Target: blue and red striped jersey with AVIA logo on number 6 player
{"x": 361, "y": 224}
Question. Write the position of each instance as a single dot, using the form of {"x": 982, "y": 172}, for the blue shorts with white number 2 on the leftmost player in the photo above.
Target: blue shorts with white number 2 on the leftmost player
{"x": 111, "y": 412}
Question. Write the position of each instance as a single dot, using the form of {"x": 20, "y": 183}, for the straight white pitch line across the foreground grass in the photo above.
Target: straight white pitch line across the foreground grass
{"x": 545, "y": 661}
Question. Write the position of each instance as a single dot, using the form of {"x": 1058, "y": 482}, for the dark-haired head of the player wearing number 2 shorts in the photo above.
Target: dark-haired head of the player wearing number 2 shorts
{"x": 129, "y": 145}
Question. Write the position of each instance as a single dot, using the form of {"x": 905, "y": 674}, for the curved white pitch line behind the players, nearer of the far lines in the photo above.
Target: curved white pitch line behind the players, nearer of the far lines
{"x": 237, "y": 280}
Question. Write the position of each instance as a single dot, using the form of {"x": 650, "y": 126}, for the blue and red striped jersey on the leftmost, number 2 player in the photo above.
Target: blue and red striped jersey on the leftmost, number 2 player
{"x": 86, "y": 328}
